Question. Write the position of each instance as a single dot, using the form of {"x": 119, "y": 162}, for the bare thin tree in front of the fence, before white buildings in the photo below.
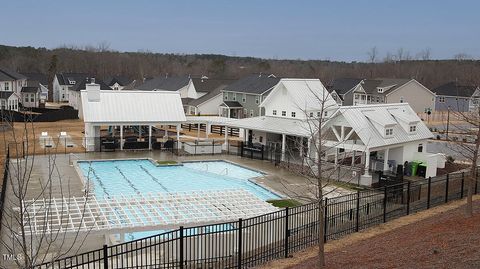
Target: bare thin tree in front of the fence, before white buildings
{"x": 320, "y": 175}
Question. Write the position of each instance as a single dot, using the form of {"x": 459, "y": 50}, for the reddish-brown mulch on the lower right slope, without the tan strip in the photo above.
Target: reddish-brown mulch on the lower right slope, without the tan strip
{"x": 448, "y": 240}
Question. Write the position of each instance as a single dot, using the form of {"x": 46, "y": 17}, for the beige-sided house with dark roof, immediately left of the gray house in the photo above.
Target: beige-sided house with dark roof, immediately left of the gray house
{"x": 210, "y": 96}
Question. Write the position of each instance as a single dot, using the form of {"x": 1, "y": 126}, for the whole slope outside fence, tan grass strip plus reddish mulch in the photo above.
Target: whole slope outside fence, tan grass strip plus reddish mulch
{"x": 442, "y": 237}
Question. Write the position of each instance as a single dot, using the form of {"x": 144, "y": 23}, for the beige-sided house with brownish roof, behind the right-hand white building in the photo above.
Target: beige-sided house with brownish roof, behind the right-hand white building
{"x": 384, "y": 90}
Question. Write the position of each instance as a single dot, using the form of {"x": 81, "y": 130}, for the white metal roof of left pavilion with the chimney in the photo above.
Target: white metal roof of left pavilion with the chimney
{"x": 133, "y": 107}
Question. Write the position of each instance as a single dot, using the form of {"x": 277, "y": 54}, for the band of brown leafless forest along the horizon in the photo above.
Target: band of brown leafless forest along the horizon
{"x": 102, "y": 62}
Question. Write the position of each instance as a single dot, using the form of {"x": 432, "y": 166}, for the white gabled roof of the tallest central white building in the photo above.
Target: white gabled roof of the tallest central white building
{"x": 308, "y": 94}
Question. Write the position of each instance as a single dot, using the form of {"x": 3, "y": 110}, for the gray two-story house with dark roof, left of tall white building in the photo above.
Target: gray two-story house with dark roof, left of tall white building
{"x": 242, "y": 98}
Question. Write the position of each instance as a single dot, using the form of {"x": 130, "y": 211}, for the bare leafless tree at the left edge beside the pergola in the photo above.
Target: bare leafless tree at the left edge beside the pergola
{"x": 28, "y": 243}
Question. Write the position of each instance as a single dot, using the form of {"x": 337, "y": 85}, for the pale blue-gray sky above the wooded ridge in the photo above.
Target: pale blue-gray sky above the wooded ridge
{"x": 334, "y": 30}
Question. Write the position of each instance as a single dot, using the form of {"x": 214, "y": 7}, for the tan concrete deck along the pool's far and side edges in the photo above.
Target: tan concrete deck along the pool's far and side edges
{"x": 279, "y": 180}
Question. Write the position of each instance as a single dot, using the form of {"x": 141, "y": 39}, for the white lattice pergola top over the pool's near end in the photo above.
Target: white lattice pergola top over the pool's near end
{"x": 159, "y": 211}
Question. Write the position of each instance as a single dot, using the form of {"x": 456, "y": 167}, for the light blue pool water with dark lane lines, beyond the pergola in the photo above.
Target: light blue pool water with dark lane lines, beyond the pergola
{"x": 130, "y": 177}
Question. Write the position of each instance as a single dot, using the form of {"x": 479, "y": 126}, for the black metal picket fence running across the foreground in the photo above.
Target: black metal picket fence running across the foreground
{"x": 249, "y": 242}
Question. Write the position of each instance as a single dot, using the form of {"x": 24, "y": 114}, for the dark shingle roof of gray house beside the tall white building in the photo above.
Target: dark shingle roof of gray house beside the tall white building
{"x": 255, "y": 84}
